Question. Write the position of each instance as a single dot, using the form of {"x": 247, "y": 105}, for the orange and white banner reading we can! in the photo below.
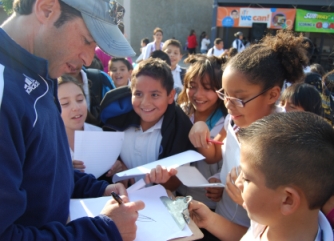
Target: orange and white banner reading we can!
{"x": 276, "y": 18}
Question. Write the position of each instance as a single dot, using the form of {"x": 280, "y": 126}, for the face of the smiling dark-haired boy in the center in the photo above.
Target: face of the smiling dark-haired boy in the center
{"x": 150, "y": 100}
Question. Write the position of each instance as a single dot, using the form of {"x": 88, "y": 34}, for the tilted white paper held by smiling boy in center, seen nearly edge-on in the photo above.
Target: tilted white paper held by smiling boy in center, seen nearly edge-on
{"x": 169, "y": 162}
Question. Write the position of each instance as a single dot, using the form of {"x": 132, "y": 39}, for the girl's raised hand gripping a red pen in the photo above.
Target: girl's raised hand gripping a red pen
{"x": 199, "y": 134}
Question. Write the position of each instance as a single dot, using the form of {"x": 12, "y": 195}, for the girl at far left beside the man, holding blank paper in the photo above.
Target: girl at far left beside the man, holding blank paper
{"x": 74, "y": 113}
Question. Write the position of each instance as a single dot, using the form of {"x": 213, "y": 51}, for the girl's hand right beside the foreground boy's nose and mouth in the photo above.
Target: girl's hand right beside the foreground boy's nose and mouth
{"x": 232, "y": 190}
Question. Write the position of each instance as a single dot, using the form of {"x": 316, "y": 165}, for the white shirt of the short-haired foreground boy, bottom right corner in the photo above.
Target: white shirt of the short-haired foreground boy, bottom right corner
{"x": 325, "y": 232}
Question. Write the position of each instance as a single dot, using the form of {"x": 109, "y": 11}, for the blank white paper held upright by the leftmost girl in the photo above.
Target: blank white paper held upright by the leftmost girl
{"x": 97, "y": 149}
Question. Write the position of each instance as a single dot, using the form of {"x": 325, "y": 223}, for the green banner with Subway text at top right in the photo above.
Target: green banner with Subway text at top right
{"x": 308, "y": 21}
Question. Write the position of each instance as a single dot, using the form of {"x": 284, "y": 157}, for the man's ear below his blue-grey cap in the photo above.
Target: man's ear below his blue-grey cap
{"x": 46, "y": 9}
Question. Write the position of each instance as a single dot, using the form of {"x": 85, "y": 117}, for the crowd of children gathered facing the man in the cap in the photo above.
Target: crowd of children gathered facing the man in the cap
{"x": 276, "y": 167}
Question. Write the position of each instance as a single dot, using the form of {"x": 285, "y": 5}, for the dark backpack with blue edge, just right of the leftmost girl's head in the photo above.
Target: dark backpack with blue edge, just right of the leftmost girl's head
{"x": 100, "y": 83}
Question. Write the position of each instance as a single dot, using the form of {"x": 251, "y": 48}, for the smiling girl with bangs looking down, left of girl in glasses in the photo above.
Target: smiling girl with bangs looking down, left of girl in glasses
{"x": 201, "y": 103}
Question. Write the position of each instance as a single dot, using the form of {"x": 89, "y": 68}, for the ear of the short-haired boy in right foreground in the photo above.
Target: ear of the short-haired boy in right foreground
{"x": 291, "y": 200}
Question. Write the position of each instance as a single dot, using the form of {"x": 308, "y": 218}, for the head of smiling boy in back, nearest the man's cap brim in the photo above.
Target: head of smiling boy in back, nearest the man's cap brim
{"x": 120, "y": 71}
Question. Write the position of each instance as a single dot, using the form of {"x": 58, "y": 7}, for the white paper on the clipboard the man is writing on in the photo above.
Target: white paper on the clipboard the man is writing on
{"x": 154, "y": 222}
